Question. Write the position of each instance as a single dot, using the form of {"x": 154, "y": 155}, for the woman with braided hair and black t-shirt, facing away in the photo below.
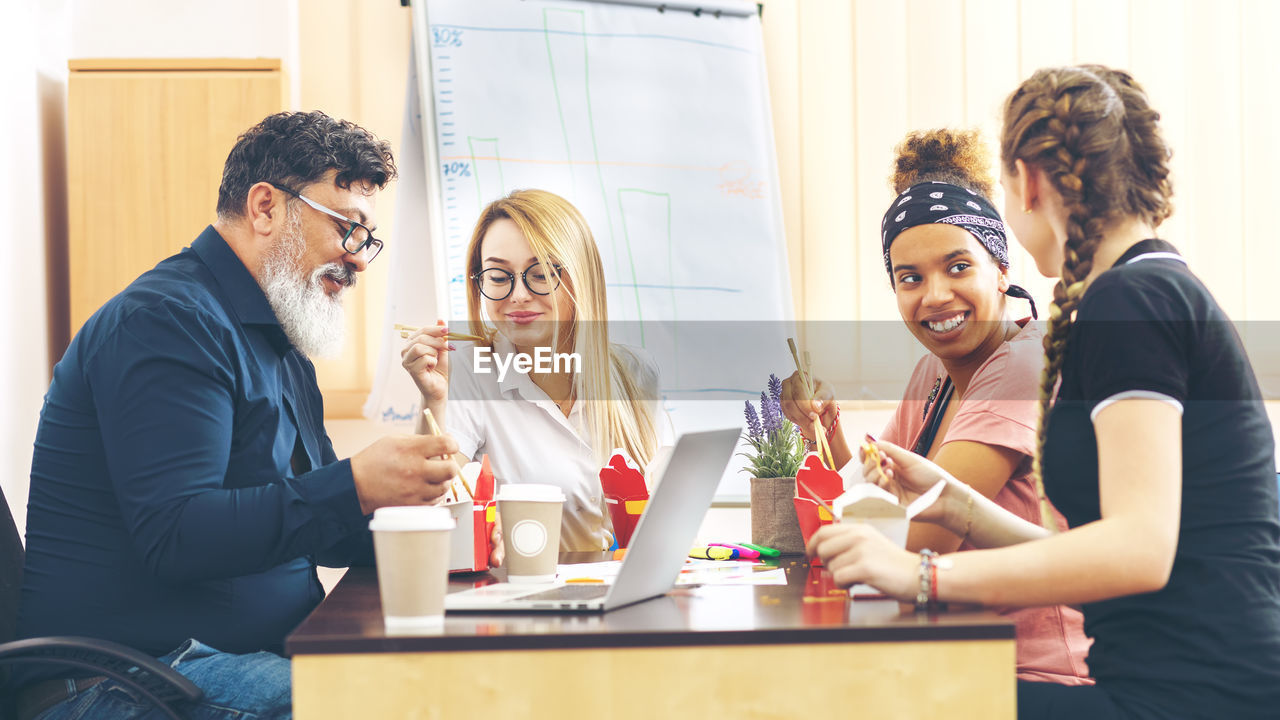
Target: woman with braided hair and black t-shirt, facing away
{"x": 1155, "y": 446}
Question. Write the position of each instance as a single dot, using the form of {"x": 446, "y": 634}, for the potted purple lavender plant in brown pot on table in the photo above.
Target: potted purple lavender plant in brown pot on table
{"x": 774, "y": 459}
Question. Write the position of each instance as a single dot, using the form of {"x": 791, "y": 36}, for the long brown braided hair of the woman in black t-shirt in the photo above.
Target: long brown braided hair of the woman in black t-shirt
{"x": 1095, "y": 135}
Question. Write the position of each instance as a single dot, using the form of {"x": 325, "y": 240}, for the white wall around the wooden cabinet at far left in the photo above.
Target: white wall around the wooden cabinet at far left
{"x": 40, "y": 39}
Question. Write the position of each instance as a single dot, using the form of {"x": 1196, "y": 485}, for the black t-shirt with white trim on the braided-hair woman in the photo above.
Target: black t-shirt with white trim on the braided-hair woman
{"x": 1209, "y": 644}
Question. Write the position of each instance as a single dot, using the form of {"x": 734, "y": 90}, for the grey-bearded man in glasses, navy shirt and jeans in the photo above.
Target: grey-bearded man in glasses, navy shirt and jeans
{"x": 184, "y": 487}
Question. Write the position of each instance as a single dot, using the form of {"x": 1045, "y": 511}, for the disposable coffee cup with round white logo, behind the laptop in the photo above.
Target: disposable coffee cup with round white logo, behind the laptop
{"x": 531, "y": 531}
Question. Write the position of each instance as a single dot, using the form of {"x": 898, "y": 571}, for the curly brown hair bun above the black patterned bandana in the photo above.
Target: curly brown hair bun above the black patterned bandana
{"x": 947, "y": 156}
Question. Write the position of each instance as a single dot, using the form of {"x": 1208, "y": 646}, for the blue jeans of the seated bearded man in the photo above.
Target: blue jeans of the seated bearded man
{"x": 248, "y": 687}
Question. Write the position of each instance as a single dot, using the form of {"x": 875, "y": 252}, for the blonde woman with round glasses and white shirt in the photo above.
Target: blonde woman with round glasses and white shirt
{"x": 546, "y": 394}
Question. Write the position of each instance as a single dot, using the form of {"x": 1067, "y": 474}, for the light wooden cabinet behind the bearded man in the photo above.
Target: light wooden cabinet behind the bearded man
{"x": 147, "y": 145}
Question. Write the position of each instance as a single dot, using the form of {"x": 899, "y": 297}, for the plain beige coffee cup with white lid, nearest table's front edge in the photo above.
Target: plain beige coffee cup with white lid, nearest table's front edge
{"x": 413, "y": 550}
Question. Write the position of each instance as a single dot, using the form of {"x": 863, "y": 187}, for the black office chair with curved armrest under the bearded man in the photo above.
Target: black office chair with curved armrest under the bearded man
{"x": 153, "y": 680}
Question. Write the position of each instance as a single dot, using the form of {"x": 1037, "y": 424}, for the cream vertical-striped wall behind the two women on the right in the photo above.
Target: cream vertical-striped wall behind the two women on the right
{"x": 851, "y": 78}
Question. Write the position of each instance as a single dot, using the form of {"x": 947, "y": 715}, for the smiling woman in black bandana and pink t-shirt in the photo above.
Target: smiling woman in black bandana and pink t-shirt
{"x": 972, "y": 402}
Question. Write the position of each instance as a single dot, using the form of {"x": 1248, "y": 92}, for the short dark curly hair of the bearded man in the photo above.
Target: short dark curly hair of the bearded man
{"x": 296, "y": 151}
